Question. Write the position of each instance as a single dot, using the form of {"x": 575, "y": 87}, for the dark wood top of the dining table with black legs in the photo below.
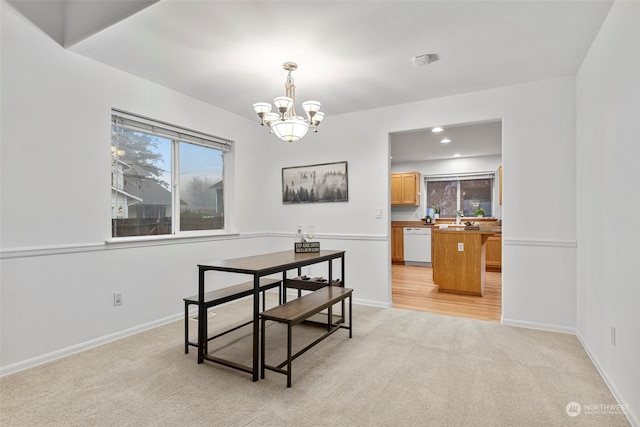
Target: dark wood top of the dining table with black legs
{"x": 270, "y": 262}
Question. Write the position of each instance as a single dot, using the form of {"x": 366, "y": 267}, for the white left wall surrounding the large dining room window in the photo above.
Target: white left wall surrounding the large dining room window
{"x": 57, "y": 277}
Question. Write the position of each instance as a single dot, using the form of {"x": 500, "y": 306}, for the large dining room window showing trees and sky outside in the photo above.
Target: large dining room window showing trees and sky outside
{"x": 164, "y": 179}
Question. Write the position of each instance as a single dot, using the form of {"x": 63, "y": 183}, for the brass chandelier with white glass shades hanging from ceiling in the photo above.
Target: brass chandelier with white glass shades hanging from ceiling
{"x": 286, "y": 125}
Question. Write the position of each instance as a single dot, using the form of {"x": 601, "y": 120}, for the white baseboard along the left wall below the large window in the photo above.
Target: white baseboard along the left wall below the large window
{"x": 68, "y": 351}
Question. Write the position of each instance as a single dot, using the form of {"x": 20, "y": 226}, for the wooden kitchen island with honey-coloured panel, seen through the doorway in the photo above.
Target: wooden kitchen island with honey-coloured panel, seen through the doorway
{"x": 458, "y": 259}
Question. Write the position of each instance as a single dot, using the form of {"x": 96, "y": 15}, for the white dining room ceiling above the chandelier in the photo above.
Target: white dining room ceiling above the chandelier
{"x": 351, "y": 55}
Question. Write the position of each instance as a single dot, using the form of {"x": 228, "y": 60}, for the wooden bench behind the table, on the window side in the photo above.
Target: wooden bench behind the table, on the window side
{"x": 221, "y": 296}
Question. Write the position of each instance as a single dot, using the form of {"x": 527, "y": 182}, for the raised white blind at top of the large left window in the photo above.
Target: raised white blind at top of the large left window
{"x": 155, "y": 127}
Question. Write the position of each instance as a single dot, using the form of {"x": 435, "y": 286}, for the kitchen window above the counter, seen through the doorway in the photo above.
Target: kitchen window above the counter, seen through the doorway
{"x": 461, "y": 192}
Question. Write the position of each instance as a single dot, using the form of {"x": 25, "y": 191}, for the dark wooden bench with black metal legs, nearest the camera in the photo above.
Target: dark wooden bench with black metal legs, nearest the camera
{"x": 297, "y": 311}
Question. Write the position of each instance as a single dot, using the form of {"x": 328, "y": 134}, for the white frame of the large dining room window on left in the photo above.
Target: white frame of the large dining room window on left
{"x": 177, "y": 135}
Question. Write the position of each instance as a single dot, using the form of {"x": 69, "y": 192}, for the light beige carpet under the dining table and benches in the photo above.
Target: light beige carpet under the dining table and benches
{"x": 401, "y": 368}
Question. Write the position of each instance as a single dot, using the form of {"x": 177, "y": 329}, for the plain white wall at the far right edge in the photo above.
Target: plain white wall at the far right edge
{"x": 608, "y": 105}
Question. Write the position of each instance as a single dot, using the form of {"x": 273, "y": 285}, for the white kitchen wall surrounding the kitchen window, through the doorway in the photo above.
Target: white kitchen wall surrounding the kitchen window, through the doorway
{"x": 443, "y": 167}
